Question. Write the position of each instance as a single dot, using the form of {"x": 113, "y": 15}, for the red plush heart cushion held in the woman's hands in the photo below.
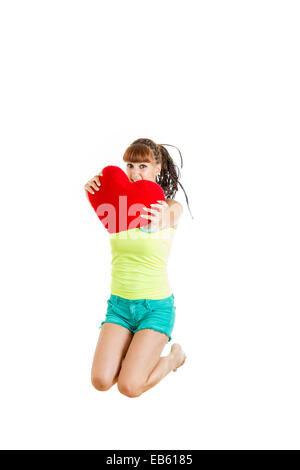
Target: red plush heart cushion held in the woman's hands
{"x": 119, "y": 202}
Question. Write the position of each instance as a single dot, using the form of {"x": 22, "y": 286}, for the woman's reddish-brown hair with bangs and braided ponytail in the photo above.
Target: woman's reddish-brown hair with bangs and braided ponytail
{"x": 145, "y": 150}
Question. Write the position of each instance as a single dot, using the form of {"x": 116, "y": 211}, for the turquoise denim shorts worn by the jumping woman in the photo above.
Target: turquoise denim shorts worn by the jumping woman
{"x": 138, "y": 314}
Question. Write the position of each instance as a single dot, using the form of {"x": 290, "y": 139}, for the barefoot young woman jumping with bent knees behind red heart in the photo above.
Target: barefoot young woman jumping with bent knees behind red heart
{"x": 141, "y": 311}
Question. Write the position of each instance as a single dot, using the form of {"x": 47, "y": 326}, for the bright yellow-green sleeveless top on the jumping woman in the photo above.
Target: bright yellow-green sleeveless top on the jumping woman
{"x": 139, "y": 263}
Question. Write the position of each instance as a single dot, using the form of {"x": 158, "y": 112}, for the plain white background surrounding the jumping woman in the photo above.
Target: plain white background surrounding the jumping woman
{"x": 80, "y": 80}
